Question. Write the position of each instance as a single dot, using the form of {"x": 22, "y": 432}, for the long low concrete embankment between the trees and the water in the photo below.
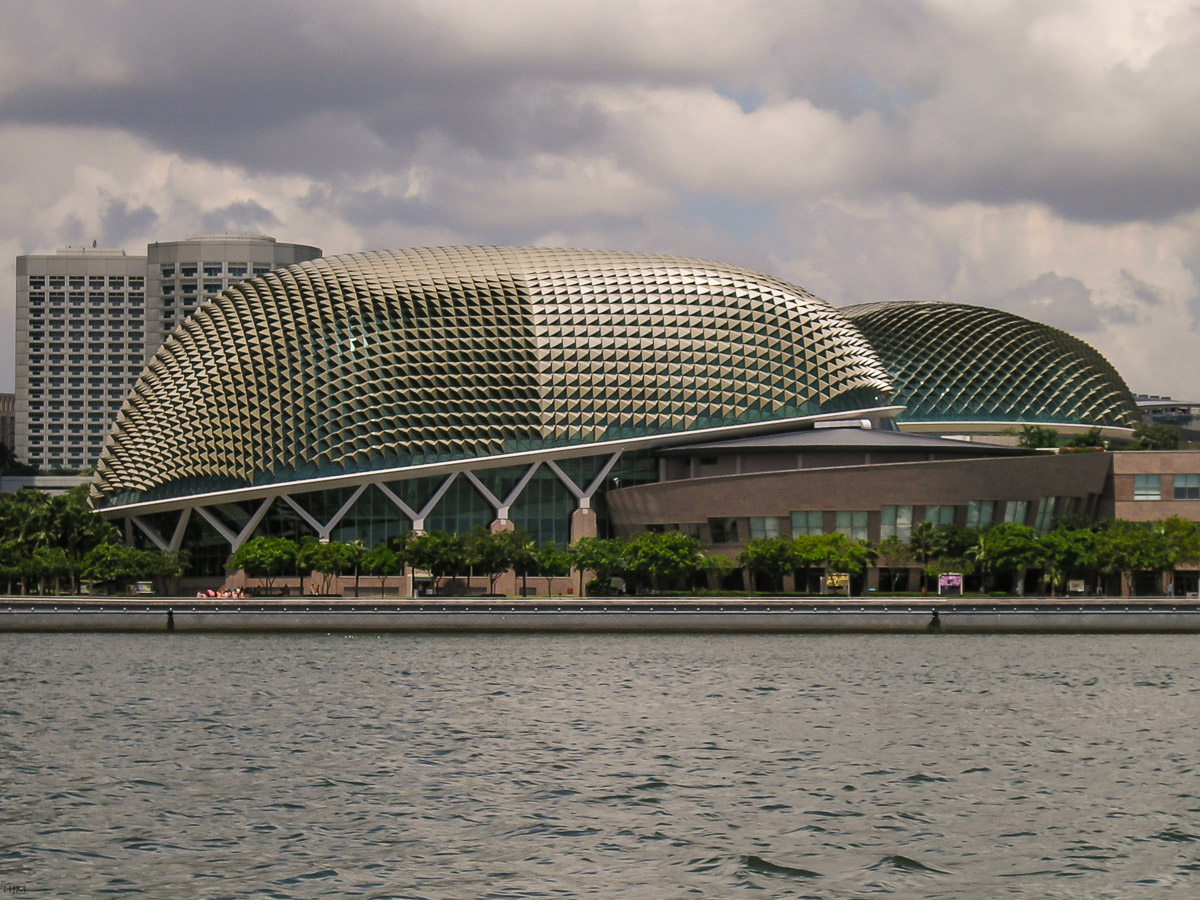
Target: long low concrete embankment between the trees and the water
{"x": 679, "y": 616}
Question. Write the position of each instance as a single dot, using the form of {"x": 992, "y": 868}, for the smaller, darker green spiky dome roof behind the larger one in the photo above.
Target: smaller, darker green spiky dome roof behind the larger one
{"x": 952, "y": 363}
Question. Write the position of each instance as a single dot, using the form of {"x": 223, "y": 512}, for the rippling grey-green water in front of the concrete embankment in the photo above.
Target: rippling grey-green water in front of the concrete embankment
{"x": 615, "y": 766}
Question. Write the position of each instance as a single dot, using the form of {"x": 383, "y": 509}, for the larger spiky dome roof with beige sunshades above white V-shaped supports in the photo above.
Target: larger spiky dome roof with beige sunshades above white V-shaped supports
{"x": 389, "y": 359}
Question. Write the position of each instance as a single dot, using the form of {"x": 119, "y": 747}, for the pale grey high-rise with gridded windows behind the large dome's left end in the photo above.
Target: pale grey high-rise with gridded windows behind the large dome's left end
{"x": 89, "y": 320}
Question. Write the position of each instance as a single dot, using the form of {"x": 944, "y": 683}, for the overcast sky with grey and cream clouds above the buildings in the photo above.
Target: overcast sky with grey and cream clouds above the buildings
{"x": 1039, "y": 157}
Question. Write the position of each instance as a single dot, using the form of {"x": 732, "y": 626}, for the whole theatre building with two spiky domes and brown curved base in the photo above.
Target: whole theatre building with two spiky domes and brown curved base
{"x": 583, "y": 393}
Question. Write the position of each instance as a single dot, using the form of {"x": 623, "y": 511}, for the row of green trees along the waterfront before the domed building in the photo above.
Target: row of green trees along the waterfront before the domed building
{"x": 53, "y": 544}
